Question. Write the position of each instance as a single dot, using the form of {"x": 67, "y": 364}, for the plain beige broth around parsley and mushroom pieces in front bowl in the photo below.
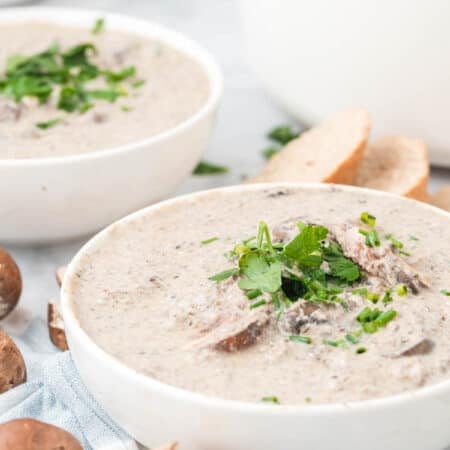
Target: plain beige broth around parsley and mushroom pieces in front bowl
{"x": 144, "y": 294}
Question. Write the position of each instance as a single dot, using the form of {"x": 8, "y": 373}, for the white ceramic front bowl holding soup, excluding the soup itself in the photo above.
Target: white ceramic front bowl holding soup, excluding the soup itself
{"x": 153, "y": 412}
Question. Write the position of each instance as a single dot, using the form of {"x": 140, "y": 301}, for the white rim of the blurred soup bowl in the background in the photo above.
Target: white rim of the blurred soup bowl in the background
{"x": 81, "y": 17}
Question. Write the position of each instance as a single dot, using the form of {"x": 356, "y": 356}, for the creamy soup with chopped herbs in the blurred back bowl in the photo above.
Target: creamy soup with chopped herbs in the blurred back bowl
{"x": 70, "y": 90}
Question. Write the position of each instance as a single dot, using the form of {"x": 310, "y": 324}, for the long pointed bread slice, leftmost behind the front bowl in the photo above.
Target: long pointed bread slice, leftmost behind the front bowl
{"x": 330, "y": 152}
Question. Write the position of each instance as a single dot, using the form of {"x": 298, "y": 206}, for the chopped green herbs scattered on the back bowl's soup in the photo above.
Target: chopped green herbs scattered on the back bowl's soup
{"x": 65, "y": 74}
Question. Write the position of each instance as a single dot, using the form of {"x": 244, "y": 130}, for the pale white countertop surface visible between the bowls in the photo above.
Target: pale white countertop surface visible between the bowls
{"x": 247, "y": 113}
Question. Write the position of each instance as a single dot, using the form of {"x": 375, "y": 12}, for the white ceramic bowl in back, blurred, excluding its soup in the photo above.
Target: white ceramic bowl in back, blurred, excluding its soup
{"x": 48, "y": 199}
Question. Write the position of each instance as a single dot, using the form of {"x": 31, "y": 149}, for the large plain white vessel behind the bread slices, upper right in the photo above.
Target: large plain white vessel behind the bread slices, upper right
{"x": 317, "y": 57}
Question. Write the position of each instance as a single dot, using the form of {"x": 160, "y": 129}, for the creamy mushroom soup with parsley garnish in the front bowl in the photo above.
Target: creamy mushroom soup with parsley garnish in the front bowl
{"x": 288, "y": 295}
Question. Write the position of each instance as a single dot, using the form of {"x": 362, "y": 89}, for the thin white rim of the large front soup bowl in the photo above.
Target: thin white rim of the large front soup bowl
{"x": 74, "y": 327}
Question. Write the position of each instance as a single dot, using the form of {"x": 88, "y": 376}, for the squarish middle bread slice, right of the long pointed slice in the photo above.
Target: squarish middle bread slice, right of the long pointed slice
{"x": 397, "y": 164}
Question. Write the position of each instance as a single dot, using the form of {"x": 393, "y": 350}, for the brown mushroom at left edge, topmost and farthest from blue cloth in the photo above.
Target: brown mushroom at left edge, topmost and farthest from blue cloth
{"x": 10, "y": 283}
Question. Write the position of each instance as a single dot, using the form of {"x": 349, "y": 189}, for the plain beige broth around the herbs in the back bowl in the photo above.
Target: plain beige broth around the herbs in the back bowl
{"x": 175, "y": 88}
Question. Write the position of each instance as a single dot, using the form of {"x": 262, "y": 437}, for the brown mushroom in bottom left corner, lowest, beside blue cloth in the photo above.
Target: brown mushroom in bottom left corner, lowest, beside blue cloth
{"x": 30, "y": 434}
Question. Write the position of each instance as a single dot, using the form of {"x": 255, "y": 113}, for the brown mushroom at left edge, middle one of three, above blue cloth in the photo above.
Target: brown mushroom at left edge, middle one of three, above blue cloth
{"x": 12, "y": 366}
